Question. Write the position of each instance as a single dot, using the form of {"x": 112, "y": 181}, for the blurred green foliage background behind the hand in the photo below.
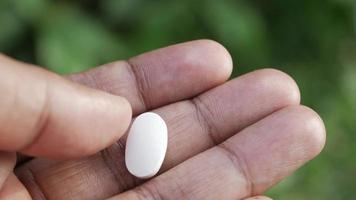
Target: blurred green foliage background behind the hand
{"x": 312, "y": 40}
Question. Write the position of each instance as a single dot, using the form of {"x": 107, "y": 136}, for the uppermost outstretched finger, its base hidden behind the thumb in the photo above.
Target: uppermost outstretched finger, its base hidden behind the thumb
{"x": 163, "y": 76}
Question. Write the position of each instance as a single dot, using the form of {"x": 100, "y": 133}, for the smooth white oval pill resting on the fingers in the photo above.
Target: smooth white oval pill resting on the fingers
{"x": 146, "y": 145}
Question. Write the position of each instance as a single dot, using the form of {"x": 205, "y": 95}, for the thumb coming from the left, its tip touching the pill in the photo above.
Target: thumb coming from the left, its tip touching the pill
{"x": 43, "y": 114}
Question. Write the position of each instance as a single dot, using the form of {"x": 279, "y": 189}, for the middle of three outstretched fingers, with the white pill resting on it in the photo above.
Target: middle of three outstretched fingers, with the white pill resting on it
{"x": 233, "y": 106}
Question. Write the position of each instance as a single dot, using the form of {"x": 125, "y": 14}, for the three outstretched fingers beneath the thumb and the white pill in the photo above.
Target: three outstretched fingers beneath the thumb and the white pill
{"x": 227, "y": 140}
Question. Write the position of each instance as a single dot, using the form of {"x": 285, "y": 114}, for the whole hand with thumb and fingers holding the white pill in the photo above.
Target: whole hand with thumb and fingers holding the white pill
{"x": 227, "y": 139}
